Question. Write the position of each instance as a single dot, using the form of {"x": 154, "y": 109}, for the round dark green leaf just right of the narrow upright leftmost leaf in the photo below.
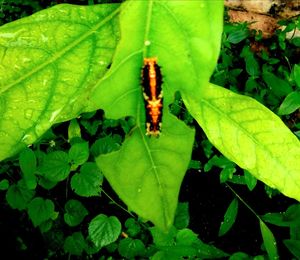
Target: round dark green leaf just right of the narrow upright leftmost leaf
{"x": 55, "y": 166}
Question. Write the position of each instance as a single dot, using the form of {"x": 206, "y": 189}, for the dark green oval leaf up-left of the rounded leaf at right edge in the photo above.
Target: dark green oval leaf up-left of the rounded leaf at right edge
{"x": 278, "y": 86}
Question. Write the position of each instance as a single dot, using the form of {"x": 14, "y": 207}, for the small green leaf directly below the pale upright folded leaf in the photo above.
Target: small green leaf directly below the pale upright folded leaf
{"x": 79, "y": 153}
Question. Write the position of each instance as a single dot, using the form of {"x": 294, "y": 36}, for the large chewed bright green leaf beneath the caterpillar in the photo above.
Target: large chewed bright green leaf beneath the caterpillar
{"x": 185, "y": 37}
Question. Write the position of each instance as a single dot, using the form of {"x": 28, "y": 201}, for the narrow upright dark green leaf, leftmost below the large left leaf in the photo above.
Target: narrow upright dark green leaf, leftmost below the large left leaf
{"x": 27, "y": 162}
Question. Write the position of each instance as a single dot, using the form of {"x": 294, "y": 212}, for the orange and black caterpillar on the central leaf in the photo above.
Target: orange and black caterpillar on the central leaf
{"x": 153, "y": 96}
